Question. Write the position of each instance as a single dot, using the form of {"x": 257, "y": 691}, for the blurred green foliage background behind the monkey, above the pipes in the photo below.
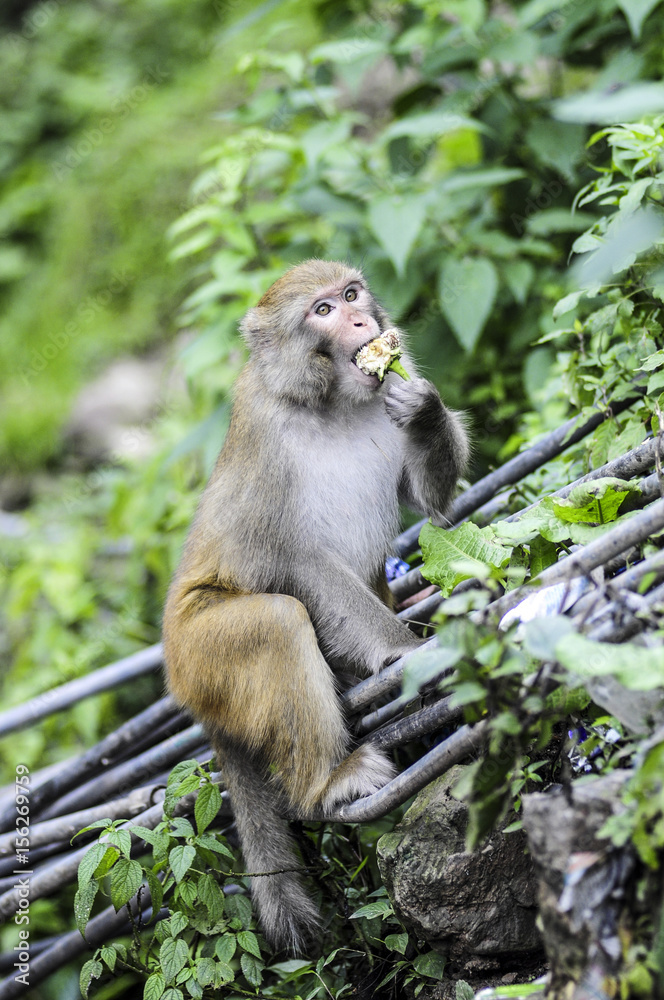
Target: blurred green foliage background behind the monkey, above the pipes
{"x": 161, "y": 163}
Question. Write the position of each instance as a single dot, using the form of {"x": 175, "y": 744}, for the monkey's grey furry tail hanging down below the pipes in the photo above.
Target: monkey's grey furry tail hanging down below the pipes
{"x": 288, "y": 916}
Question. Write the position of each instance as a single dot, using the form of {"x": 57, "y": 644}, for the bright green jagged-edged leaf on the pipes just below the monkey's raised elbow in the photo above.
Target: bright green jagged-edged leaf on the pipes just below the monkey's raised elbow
{"x": 459, "y": 553}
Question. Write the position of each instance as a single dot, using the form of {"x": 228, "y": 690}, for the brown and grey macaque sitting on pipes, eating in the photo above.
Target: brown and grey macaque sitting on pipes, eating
{"x": 282, "y": 581}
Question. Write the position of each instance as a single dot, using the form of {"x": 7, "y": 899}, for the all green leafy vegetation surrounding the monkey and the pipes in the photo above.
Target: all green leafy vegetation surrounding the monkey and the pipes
{"x": 443, "y": 146}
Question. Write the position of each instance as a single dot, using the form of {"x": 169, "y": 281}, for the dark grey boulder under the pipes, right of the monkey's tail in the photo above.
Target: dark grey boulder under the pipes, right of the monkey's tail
{"x": 473, "y": 907}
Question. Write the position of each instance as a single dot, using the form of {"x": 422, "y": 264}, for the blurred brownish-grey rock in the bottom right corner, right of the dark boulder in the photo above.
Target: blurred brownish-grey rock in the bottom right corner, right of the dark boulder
{"x": 583, "y": 882}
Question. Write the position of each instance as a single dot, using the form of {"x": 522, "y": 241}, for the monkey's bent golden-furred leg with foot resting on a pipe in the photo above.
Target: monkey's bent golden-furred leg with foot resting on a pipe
{"x": 250, "y": 667}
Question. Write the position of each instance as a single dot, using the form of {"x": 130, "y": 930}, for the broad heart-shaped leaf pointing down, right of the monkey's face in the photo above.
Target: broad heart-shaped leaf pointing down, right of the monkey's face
{"x": 467, "y": 290}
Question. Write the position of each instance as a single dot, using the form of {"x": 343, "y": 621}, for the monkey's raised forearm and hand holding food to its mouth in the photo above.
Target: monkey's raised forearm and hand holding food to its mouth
{"x": 436, "y": 447}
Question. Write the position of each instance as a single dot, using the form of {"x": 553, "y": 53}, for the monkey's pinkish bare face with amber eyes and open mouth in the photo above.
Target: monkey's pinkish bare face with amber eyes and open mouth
{"x": 343, "y": 320}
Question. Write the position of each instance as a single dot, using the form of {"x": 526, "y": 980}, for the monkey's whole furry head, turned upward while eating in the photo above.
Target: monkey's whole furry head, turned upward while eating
{"x": 306, "y": 330}
